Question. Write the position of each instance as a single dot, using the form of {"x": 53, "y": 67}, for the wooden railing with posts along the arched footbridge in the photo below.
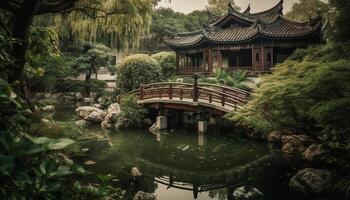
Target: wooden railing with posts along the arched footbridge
{"x": 205, "y": 93}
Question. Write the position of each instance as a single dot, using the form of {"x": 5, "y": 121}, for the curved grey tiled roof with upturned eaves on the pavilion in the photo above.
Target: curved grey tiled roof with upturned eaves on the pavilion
{"x": 236, "y": 27}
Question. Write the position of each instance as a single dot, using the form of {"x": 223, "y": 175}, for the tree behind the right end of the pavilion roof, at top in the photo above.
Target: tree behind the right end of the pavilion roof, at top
{"x": 304, "y": 9}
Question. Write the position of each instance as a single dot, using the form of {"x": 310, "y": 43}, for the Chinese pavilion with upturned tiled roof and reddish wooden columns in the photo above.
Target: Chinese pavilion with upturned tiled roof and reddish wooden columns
{"x": 243, "y": 40}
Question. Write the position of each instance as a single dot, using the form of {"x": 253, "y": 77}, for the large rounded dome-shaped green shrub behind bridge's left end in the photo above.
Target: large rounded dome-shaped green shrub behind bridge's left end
{"x": 135, "y": 70}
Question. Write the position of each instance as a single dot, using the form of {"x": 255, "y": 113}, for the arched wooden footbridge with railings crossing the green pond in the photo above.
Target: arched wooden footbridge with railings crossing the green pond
{"x": 194, "y": 97}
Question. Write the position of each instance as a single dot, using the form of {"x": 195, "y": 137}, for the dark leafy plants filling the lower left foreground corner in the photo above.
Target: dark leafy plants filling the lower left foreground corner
{"x": 35, "y": 167}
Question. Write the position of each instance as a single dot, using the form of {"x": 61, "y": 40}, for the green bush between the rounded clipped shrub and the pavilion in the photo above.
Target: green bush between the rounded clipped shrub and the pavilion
{"x": 167, "y": 61}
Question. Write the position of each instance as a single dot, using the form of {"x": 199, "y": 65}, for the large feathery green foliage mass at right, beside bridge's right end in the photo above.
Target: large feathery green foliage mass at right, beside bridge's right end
{"x": 309, "y": 94}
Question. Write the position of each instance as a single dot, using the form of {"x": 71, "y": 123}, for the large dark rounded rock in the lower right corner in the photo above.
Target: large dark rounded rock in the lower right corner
{"x": 311, "y": 182}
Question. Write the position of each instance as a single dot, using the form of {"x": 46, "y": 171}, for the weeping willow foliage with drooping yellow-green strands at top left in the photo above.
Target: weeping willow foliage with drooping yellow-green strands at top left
{"x": 117, "y": 23}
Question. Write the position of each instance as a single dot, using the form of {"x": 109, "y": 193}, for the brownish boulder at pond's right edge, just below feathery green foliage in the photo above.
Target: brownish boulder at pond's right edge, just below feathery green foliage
{"x": 293, "y": 144}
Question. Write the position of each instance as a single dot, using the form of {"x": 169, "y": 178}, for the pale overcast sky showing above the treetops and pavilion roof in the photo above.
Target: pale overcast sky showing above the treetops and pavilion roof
{"x": 187, "y": 6}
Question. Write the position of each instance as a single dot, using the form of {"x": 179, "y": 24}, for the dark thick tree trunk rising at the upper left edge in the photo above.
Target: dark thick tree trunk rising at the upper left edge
{"x": 24, "y": 19}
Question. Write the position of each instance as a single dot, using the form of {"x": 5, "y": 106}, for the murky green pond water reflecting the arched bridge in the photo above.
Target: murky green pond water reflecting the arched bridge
{"x": 184, "y": 165}
